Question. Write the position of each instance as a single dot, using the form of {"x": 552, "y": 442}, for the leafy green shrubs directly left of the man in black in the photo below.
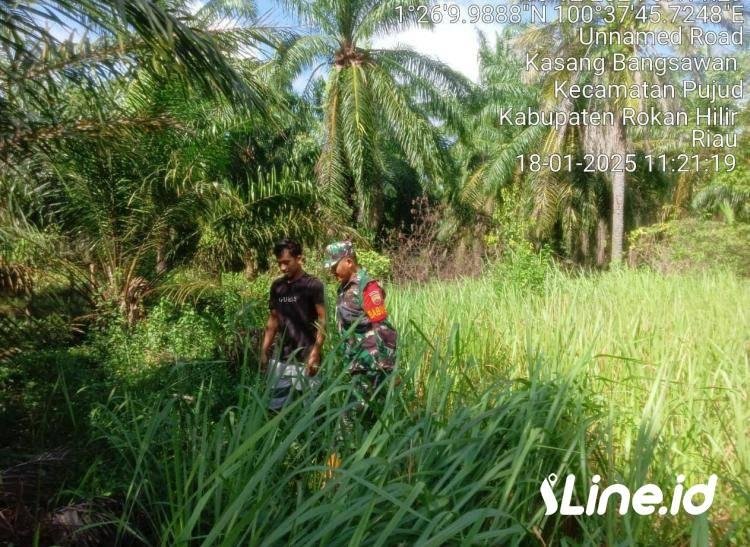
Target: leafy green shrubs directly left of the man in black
{"x": 196, "y": 319}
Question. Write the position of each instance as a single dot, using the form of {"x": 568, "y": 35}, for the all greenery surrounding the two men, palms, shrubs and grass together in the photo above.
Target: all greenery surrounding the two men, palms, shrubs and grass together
{"x": 150, "y": 154}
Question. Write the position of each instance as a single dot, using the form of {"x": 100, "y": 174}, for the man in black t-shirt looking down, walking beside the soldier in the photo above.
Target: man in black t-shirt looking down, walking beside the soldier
{"x": 297, "y": 319}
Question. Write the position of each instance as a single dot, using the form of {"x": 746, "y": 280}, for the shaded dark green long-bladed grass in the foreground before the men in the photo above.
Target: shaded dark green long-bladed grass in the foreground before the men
{"x": 447, "y": 462}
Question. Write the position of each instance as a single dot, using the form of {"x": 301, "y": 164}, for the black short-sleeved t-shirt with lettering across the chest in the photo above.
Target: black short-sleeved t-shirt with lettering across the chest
{"x": 295, "y": 304}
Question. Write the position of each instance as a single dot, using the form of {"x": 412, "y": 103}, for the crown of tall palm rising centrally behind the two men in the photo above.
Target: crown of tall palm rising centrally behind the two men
{"x": 372, "y": 95}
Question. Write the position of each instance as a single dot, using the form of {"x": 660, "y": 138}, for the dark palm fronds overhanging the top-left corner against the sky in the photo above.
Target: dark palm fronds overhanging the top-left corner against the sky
{"x": 48, "y": 78}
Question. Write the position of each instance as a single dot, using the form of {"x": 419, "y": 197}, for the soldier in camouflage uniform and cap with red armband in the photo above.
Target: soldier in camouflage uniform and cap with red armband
{"x": 362, "y": 319}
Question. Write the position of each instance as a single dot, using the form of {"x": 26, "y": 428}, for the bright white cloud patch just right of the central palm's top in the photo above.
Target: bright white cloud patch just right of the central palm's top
{"x": 455, "y": 44}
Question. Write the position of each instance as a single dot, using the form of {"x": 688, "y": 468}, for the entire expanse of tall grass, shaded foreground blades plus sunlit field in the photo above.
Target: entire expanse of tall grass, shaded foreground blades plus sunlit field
{"x": 631, "y": 375}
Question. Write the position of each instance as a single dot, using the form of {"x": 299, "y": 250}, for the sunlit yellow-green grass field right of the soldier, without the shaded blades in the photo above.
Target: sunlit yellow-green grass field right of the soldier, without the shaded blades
{"x": 667, "y": 356}
